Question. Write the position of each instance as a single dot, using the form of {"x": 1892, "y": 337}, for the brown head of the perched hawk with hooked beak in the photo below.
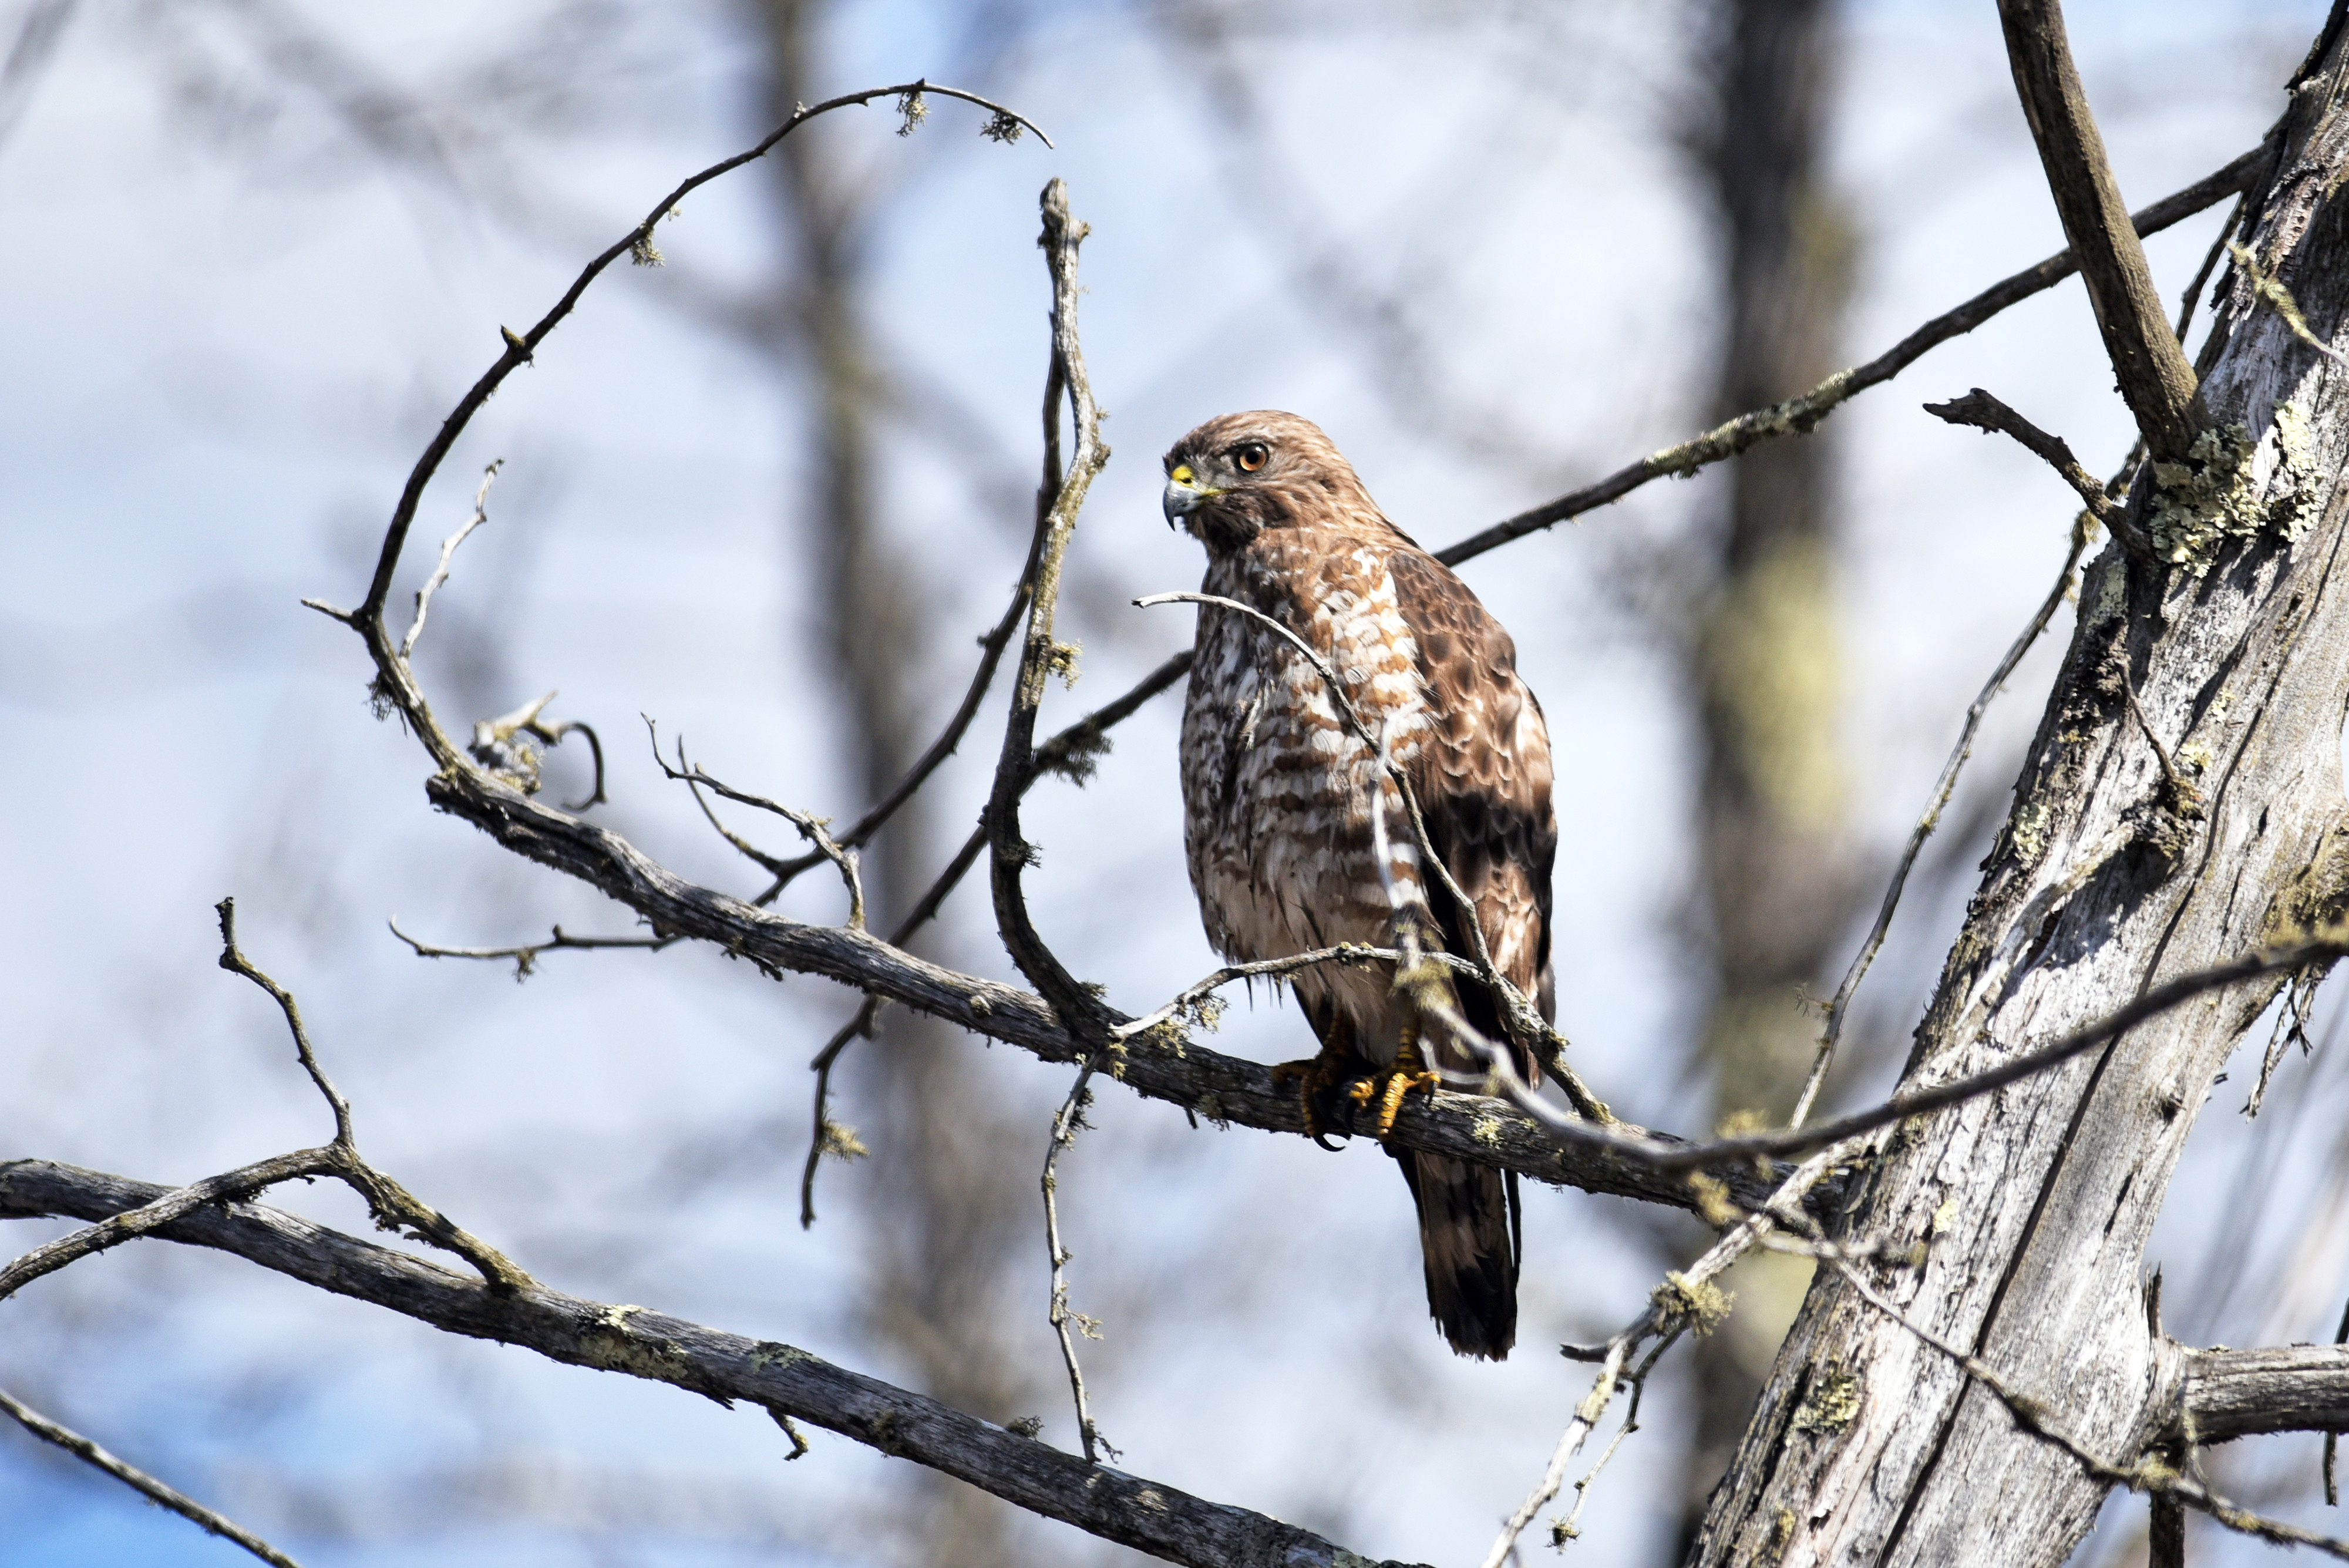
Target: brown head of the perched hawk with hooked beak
{"x": 1244, "y": 473}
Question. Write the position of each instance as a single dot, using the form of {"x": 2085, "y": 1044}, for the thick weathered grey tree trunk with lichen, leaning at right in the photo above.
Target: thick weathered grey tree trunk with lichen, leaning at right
{"x": 2113, "y": 874}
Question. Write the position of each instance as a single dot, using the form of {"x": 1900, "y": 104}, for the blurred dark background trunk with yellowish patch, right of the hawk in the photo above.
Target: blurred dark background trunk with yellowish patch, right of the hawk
{"x": 1763, "y": 656}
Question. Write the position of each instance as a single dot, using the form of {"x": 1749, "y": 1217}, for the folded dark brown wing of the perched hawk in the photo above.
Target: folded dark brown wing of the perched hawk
{"x": 1483, "y": 783}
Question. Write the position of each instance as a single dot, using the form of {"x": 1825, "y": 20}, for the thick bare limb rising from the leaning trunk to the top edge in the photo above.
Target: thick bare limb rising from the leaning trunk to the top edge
{"x": 2146, "y": 356}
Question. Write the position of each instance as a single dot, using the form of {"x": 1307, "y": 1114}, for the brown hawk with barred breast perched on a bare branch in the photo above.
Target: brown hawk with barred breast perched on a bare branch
{"x": 1281, "y": 804}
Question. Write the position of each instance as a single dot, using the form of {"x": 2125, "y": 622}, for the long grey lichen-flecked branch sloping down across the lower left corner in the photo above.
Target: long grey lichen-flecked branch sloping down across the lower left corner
{"x": 642, "y": 1344}
